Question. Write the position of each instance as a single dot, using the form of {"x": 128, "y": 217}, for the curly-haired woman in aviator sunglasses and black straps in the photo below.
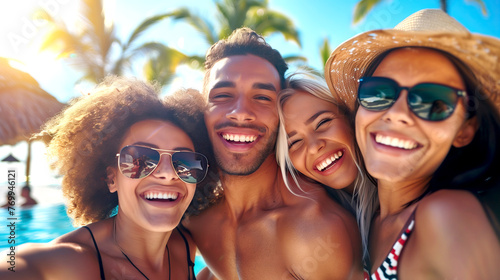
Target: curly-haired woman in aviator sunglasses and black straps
{"x": 97, "y": 143}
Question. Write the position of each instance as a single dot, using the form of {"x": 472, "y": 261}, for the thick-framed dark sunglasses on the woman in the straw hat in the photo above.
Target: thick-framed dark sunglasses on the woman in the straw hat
{"x": 428, "y": 101}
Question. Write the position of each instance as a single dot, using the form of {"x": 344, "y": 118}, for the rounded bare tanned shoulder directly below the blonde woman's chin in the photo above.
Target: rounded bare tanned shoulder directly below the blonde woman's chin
{"x": 320, "y": 232}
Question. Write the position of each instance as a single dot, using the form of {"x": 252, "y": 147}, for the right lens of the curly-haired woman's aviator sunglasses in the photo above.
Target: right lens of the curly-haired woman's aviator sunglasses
{"x": 190, "y": 167}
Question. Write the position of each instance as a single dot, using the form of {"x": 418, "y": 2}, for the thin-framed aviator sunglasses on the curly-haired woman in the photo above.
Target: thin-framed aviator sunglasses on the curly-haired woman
{"x": 137, "y": 162}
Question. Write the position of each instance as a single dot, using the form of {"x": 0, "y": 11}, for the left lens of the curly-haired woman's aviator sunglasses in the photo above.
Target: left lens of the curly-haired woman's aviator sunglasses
{"x": 138, "y": 162}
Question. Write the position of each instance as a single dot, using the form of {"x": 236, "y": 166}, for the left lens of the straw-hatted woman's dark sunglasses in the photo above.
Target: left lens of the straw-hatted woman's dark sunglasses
{"x": 377, "y": 94}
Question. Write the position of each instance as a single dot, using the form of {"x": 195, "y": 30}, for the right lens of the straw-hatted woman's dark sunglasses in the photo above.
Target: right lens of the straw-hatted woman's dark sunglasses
{"x": 432, "y": 102}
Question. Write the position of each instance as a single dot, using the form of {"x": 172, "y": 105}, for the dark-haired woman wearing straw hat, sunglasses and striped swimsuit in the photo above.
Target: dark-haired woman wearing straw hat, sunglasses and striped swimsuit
{"x": 428, "y": 126}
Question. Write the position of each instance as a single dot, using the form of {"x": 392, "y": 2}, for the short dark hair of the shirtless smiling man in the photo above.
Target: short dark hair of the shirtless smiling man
{"x": 244, "y": 41}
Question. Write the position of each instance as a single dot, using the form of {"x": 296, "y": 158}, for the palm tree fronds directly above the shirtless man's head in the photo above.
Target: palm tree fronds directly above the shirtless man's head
{"x": 233, "y": 14}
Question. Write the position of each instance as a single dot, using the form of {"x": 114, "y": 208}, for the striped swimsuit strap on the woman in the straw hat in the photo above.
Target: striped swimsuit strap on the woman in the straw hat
{"x": 389, "y": 267}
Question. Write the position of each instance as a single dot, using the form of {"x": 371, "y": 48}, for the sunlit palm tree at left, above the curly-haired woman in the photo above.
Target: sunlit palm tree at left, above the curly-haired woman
{"x": 90, "y": 48}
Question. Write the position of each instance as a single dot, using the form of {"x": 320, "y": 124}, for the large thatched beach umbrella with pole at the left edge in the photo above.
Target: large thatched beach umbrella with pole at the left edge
{"x": 24, "y": 107}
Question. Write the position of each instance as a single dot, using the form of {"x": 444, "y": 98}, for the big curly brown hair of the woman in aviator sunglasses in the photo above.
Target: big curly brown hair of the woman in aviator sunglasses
{"x": 86, "y": 136}
